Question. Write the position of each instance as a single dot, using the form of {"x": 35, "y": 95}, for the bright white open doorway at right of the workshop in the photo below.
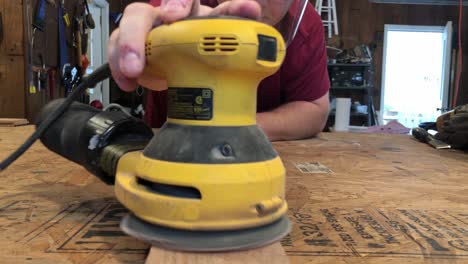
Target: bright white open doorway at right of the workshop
{"x": 415, "y": 73}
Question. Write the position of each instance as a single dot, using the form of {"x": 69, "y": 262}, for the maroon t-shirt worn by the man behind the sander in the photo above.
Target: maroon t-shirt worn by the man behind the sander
{"x": 303, "y": 75}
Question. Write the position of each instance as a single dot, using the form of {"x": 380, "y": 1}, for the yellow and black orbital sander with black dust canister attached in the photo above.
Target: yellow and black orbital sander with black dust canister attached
{"x": 209, "y": 180}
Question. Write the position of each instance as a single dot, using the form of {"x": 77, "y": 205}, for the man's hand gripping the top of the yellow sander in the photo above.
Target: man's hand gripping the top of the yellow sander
{"x": 126, "y": 44}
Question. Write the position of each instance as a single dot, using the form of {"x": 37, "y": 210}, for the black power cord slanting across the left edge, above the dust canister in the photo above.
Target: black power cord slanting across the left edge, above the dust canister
{"x": 91, "y": 80}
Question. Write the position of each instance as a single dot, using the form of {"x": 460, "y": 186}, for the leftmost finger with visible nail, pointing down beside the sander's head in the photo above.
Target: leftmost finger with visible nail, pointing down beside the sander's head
{"x": 136, "y": 23}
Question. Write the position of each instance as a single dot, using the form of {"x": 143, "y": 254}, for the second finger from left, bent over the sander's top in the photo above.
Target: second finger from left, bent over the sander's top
{"x": 173, "y": 10}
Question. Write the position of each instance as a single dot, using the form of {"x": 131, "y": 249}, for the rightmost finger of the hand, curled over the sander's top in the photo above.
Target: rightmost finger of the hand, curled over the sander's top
{"x": 243, "y": 8}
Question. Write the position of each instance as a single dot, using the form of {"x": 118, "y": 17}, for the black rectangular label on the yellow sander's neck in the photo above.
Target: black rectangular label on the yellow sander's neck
{"x": 190, "y": 103}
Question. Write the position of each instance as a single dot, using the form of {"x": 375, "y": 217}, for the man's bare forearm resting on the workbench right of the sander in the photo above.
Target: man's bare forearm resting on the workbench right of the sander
{"x": 295, "y": 120}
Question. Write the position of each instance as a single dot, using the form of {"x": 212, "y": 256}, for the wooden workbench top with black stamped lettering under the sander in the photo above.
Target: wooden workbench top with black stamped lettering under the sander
{"x": 354, "y": 198}
